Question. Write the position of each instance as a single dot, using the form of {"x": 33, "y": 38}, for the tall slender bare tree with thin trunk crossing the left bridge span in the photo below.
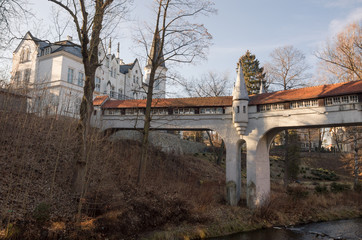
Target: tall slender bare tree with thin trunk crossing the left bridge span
{"x": 175, "y": 39}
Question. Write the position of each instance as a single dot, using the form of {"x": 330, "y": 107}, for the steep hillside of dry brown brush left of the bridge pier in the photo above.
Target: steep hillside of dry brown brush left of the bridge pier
{"x": 36, "y": 169}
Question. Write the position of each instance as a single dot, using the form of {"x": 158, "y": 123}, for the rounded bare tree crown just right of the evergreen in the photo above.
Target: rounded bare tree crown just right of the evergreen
{"x": 287, "y": 68}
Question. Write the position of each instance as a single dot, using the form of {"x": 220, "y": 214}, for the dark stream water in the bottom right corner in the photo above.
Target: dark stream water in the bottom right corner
{"x": 342, "y": 229}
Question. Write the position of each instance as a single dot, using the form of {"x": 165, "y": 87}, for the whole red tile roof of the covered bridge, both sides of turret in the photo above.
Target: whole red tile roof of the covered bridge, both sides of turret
{"x": 322, "y": 91}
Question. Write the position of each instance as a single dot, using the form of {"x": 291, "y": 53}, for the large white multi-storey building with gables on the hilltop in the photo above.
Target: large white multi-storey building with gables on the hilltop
{"x": 52, "y": 74}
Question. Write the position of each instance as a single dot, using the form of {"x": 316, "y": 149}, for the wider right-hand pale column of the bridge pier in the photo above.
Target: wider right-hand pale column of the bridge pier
{"x": 258, "y": 170}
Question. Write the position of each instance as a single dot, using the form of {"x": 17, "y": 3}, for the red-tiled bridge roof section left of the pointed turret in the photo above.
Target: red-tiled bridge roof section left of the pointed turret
{"x": 172, "y": 102}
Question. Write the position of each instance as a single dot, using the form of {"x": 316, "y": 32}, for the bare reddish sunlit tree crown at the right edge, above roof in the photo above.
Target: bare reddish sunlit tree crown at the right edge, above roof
{"x": 342, "y": 58}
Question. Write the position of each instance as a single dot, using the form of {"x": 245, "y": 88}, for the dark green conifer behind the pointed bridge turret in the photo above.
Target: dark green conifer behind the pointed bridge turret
{"x": 253, "y": 73}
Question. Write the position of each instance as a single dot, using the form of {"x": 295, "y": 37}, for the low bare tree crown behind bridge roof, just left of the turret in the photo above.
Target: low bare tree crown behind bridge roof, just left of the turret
{"x": 211, "y": 84}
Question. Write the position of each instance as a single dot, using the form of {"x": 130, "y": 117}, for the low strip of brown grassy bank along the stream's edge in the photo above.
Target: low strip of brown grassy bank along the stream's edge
{"x": 281, "y": 211}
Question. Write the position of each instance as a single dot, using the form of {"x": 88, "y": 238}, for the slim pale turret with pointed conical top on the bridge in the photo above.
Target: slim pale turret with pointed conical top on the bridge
{"x": 240, "y": 102}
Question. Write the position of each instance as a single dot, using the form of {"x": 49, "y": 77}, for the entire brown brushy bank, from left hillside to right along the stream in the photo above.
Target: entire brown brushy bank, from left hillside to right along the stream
{"x": 183, "y": 196}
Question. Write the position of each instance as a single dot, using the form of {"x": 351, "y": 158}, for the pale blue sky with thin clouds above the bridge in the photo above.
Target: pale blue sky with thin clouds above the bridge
{"x": 259, "y": 26}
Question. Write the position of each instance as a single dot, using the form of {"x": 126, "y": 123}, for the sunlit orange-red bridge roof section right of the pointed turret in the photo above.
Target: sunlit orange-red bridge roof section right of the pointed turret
{"x": 338, "y": 89}
